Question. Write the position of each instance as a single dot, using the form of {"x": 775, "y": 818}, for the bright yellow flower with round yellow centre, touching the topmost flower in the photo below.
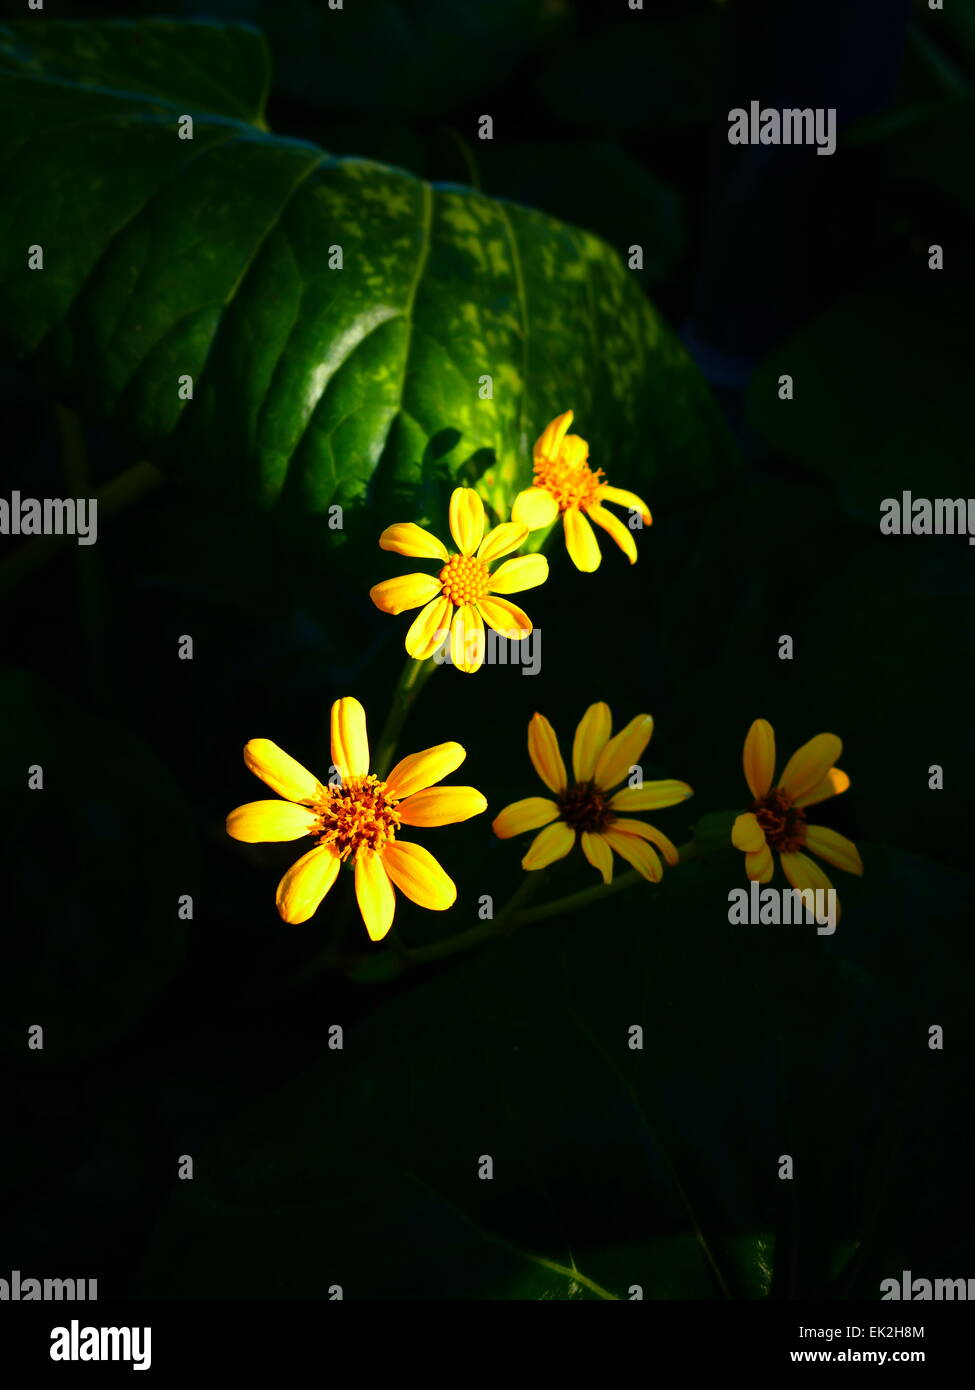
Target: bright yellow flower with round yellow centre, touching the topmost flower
{"x": 464, "y": 597}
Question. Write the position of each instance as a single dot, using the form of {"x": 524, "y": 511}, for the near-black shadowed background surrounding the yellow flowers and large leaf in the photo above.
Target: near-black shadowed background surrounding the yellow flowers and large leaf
{"x": 211, "y": 1038}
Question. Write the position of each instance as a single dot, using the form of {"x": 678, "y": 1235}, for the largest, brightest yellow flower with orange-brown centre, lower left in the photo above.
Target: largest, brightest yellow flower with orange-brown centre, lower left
{"x": 357, "y": 822}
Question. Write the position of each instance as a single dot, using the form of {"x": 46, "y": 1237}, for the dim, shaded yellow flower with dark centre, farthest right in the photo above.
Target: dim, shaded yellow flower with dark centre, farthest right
{"x": 777, "y": 819}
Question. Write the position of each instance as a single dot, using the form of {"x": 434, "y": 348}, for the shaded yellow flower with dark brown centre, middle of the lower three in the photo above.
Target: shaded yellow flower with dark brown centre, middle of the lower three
{"x": 588, "y": 806}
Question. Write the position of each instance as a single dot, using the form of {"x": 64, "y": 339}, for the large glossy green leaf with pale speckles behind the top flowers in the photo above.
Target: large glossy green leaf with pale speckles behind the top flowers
{"x": 312, "y": 386}
